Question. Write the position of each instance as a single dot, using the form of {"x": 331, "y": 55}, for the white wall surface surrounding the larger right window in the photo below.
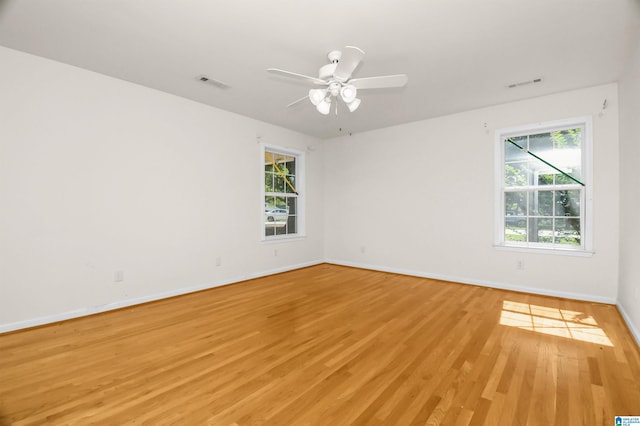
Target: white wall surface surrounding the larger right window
{"x": 419, "y": 198}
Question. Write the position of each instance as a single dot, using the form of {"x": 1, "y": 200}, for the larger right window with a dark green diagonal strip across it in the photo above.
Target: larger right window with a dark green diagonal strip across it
{"x": 544, "y": 194}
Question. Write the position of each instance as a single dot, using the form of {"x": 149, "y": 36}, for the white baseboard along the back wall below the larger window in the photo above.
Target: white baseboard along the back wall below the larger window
{"x": 482, "y": 283}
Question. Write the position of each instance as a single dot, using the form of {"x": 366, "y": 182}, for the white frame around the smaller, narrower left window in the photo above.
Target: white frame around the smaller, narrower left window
{"x": 300, "y": 188}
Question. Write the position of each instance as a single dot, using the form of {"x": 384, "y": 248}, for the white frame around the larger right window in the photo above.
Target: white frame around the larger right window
{"x": 586, "y": 204}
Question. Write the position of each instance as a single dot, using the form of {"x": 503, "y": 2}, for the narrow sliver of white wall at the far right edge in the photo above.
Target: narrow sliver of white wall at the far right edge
{"x": 629, "y": 292}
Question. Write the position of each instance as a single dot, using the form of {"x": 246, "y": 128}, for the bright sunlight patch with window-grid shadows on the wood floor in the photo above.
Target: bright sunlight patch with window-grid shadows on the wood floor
{"x": 553, "y": 321}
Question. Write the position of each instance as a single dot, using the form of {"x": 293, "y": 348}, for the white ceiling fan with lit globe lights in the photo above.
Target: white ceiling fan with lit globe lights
{"x": 335, "y": 77}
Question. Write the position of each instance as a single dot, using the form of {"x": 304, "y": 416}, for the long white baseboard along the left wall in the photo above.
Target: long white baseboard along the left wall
{"x": 76, "y": 313}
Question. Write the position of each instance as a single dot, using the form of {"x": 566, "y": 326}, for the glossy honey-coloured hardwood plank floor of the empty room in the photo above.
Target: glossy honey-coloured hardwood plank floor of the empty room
{"x": 328, "y": 345}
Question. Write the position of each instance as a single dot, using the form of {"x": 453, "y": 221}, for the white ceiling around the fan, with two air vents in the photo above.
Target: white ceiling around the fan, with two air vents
{"x": 458, "y": 54}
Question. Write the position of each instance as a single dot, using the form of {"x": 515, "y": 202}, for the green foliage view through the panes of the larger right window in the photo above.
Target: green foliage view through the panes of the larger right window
{"x": 542, "y": 206}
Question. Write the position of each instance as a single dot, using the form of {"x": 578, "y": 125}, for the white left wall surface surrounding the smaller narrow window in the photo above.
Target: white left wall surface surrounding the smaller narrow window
{"x": 99, "y": 175}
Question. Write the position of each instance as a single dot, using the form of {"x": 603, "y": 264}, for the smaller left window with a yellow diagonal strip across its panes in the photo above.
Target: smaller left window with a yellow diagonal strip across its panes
{"x": 281, "y": 195}
